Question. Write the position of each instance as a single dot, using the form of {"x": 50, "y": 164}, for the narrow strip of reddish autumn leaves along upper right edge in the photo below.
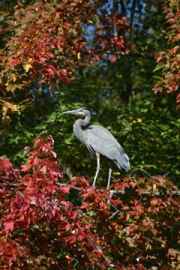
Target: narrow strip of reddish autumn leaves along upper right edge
{"x": 168, "y": 60}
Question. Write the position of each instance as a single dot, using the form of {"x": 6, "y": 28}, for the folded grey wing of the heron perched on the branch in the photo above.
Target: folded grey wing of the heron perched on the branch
{"x": 100, "y": 140}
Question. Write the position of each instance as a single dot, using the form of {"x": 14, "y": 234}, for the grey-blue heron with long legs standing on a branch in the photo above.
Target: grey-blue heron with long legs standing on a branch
{"x": 99, "y": 141}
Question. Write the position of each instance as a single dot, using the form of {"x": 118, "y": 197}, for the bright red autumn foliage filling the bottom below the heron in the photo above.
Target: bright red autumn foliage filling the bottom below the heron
{"x": 42, "y": 227}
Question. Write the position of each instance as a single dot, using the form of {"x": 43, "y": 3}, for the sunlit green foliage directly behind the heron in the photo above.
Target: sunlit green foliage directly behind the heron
{"x": 148, "y": 129}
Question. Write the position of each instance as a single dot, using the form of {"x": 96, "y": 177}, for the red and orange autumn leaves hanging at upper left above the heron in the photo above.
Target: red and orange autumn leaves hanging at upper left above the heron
{"x": 45, "y": 43}
